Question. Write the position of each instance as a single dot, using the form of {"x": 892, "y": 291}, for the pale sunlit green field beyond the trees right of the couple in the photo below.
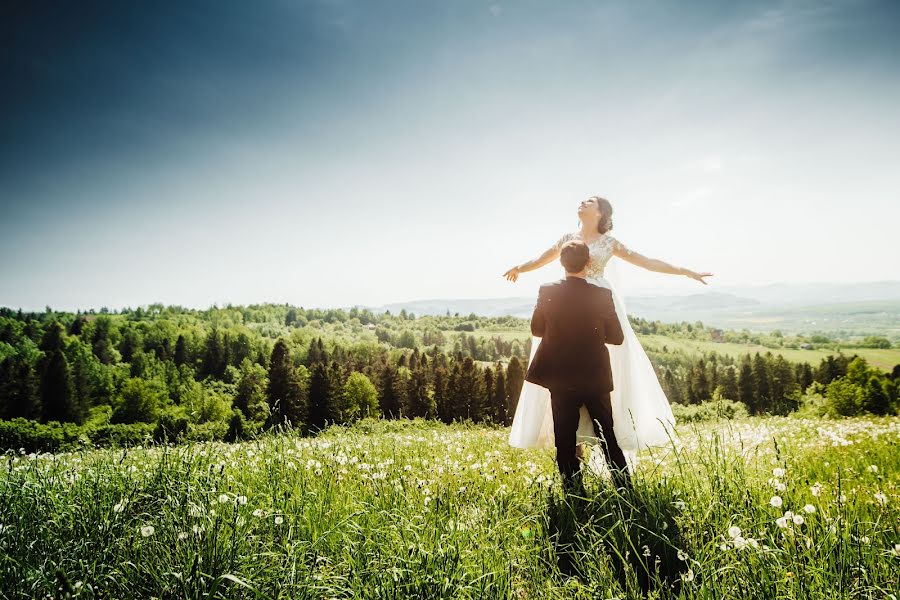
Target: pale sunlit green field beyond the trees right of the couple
{"x": 881, "y": 359}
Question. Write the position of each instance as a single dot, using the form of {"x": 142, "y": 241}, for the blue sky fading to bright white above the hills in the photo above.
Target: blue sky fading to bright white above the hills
{"x": 347, "y": 152}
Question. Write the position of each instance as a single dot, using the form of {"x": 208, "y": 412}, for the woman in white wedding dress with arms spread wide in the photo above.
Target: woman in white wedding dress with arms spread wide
{"x": 642, "y": 417}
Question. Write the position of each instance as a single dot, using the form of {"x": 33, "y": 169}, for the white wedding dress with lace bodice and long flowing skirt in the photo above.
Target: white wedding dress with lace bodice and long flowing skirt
{"x": 642, "y": 417}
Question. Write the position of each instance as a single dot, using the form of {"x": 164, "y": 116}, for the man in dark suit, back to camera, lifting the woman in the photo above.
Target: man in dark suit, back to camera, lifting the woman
{"x": 575, "y": 320}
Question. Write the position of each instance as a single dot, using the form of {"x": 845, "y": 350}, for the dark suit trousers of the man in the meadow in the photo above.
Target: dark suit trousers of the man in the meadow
{"x": 566, "y": 405}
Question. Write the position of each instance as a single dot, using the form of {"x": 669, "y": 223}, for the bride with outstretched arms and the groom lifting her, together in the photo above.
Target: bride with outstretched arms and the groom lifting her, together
{"x": 589, "y": 379}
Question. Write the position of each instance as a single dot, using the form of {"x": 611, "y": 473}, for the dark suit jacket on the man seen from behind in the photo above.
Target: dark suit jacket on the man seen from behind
{"x": 575, "y": 320}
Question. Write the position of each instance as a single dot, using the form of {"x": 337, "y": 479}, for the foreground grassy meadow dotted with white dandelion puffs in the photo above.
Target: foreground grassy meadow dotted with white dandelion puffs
{"x": 759, "y": 508}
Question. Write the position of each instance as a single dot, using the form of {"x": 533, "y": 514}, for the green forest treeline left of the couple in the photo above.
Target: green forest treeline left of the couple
{"x": 188, "y": 375}
